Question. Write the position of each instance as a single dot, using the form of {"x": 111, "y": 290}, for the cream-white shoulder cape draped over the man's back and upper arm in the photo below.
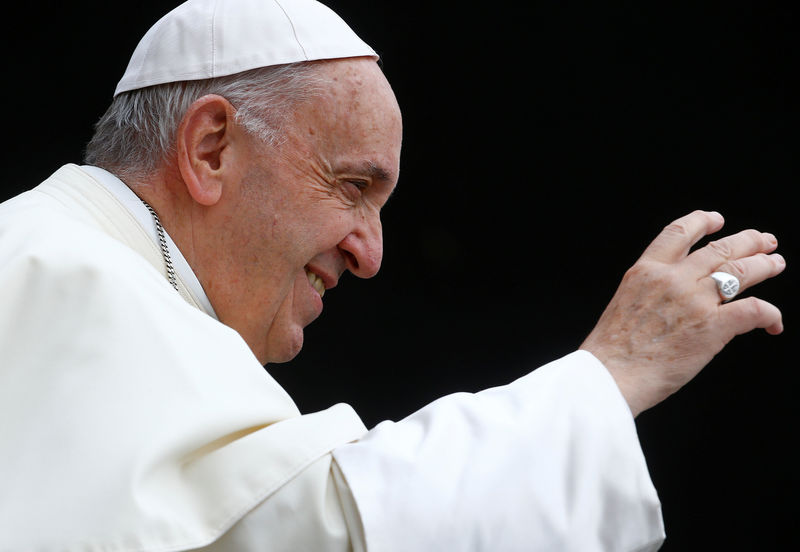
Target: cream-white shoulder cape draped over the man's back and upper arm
{"x": 131, "y": 420}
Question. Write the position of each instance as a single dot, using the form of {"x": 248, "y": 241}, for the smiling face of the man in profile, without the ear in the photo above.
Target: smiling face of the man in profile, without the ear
{"x": 308, "y": 209}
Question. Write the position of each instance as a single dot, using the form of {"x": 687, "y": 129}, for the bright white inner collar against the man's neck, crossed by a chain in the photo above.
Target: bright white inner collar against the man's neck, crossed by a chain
{"x": 134, "y": 205}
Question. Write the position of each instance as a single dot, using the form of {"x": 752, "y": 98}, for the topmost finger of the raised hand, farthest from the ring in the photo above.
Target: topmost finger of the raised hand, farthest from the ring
{"x": 674, "y": 242}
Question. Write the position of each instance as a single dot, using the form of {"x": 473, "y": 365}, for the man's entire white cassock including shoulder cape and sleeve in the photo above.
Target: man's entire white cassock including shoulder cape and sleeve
{"x": 132, "y": 420}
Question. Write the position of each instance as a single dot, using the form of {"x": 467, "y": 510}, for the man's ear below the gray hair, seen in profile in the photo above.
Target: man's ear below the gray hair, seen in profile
{"x": 204, "y": 137}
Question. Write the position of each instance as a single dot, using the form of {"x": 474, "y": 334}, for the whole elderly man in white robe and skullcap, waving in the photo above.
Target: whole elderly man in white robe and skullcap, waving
{"x": 238, "y": 173}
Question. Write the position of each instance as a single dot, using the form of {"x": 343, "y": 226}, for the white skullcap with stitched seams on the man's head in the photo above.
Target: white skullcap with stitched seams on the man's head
{"x": 201, "y": 39}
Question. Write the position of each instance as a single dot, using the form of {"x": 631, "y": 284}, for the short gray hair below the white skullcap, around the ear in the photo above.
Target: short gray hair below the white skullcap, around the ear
{"x": 138, "y": 131}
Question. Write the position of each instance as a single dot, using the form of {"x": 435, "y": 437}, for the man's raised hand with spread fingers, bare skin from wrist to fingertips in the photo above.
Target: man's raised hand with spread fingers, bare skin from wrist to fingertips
{"x": 667, "y": 321}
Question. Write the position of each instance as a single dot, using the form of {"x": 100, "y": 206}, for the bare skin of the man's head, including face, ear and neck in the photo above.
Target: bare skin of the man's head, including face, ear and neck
{"x": 253, "y": 220}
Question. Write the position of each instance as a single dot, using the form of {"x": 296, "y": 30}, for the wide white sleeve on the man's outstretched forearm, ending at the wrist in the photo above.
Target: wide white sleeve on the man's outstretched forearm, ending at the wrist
{"x": 549, "y": 462}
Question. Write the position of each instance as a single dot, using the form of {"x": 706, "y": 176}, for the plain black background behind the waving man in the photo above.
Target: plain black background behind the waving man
{"x": 545, "y": 144}
